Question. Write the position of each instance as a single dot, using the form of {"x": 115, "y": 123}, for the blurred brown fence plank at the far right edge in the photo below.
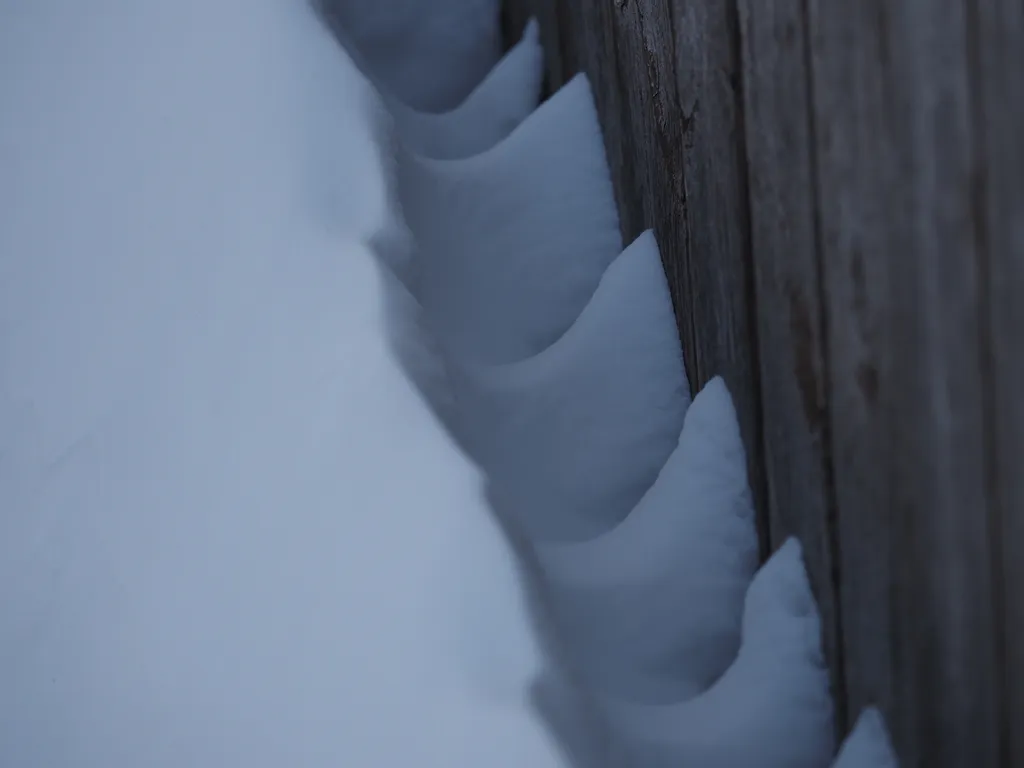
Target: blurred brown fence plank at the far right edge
{"x": 997, "y": 36}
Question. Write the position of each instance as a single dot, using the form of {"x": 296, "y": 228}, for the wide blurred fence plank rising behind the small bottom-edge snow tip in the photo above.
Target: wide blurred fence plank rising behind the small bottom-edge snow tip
{"x": 900, "y": 261}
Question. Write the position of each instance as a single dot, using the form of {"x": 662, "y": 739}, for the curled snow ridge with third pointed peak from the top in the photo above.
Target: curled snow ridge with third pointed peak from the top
{"x": 574, "y": 437}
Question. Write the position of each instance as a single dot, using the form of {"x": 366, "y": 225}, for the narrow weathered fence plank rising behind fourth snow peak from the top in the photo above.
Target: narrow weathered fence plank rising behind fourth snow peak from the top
{"x": 719, "y": 289}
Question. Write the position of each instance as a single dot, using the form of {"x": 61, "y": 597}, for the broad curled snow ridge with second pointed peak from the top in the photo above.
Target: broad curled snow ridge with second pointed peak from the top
{"x": 513, "y": 243}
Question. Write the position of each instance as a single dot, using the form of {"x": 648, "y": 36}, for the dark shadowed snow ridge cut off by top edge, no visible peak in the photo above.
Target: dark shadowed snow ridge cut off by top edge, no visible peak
{"x": 430, "y": 54}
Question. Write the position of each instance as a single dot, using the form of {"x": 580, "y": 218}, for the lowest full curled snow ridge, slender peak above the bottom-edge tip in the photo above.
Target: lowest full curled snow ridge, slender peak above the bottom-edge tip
{"x": 772, "y": 709}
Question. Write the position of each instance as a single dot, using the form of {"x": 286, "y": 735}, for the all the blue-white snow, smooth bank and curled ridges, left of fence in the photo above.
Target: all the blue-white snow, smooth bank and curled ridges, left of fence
{"x": 232, "y": 531}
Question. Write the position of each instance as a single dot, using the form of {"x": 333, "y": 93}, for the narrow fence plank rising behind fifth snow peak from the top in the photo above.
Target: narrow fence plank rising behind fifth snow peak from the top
{"x": 794, "y": 377}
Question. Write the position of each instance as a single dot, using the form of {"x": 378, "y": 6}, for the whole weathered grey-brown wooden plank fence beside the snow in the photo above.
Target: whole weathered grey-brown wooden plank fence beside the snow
{"x": 838, "y": 190}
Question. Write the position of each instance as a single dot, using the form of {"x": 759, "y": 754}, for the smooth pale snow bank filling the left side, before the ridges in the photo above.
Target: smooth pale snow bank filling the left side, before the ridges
{"x": 232, "y": 533}
